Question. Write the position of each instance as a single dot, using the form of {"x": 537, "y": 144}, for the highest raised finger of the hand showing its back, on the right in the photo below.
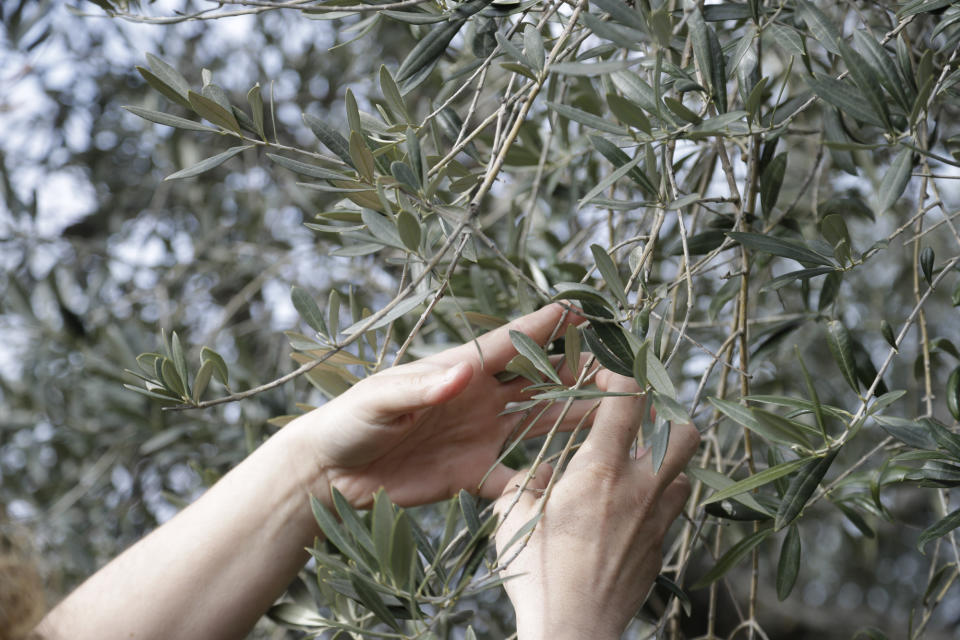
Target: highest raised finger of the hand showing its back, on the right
{"x": 618, "y": 418}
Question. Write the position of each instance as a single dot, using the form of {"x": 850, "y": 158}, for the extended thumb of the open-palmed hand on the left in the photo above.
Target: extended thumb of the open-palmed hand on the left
{"x": 400, "y": 394}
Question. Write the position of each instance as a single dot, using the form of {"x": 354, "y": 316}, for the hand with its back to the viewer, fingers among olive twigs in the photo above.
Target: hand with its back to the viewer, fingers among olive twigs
{"x": 594, "y": 554}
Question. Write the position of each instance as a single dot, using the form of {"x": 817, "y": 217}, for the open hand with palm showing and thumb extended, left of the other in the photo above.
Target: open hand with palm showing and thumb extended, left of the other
{"x": 427, "y": 429}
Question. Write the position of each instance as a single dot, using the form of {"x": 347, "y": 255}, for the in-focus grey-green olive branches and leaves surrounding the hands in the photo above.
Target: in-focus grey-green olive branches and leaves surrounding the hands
{"x": 752, "y": 202}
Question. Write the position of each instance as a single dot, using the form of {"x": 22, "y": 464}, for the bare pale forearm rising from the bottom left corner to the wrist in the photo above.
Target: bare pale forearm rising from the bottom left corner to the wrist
{"x": 215, "y": 568}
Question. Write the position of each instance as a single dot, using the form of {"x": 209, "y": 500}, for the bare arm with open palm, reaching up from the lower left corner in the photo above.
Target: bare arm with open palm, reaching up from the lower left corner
{"x": 423, "y": 431}
